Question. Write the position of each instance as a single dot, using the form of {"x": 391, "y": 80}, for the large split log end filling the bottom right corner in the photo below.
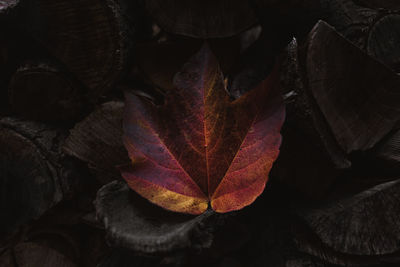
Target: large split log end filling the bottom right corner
{"x": 359, "y": 230}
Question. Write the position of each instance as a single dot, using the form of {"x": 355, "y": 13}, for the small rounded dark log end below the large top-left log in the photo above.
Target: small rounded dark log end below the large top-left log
{"x": 43, "y": 92}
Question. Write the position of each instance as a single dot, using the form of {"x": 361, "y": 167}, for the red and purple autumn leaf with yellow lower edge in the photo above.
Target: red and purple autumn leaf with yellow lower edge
{"x": 201, "y": 147}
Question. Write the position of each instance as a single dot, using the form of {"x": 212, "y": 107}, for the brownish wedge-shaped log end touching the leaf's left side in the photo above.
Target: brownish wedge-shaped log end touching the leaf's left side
{"x": 97, "y": 141}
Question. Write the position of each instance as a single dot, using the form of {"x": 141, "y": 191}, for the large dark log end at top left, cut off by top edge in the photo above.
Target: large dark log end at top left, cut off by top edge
{"x": 90, "y": 37}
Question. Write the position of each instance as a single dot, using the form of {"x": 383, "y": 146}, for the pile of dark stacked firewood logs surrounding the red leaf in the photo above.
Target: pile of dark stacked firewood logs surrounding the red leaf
{"x": 334, "y": 194}
